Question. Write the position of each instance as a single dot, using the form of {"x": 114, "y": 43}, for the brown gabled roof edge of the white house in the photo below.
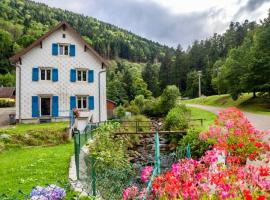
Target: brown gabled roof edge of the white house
{"x": 17, "y": 56}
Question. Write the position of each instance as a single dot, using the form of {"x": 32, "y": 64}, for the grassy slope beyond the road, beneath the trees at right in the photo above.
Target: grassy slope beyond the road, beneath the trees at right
{"x": 244, "y": 102}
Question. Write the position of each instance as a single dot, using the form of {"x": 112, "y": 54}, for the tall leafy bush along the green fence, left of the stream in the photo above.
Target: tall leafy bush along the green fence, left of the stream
{"x": 113, "y": 171}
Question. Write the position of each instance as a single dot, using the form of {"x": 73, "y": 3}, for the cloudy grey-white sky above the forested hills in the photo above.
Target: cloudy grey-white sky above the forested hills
{"x": 169, "y": 22}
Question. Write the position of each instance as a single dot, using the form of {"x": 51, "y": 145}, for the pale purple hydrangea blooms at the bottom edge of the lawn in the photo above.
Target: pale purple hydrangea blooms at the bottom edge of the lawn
{"x": 51, "y": 192}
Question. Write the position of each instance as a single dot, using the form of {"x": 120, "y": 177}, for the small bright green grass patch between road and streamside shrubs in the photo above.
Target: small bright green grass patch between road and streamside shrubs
{"x": 208, "y": 117}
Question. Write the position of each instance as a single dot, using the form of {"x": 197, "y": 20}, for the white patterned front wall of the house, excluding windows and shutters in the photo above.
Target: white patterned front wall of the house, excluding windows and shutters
{"x": 63, "y": 88}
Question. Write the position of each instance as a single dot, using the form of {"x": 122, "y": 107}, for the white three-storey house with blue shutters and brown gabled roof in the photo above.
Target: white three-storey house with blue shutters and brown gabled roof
{"x": 59, "y": 72}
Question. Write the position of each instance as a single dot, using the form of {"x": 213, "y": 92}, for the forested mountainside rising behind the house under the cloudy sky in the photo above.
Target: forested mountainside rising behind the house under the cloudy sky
{"x": 23, "y": 21}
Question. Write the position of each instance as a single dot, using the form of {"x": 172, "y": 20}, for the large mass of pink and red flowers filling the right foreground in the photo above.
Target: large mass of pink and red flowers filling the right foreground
{"x": 222, "y": 173}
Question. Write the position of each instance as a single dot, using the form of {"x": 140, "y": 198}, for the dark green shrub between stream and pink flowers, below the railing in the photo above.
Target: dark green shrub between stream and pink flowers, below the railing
{"x": 197, "y": 146}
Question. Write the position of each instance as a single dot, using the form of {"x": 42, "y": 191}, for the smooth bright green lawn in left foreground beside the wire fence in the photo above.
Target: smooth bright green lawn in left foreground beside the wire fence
{"x": 22, "y": 169}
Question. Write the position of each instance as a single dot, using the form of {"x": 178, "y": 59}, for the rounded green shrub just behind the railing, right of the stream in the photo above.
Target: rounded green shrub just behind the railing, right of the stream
{"x": 177, "y": 118}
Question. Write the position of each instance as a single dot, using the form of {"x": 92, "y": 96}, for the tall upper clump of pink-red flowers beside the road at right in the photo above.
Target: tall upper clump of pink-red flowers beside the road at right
{"x": 236, "y": 136}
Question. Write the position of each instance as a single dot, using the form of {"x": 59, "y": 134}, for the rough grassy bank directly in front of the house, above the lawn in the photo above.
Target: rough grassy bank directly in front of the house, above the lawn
{"x": 21, "y": 135}
